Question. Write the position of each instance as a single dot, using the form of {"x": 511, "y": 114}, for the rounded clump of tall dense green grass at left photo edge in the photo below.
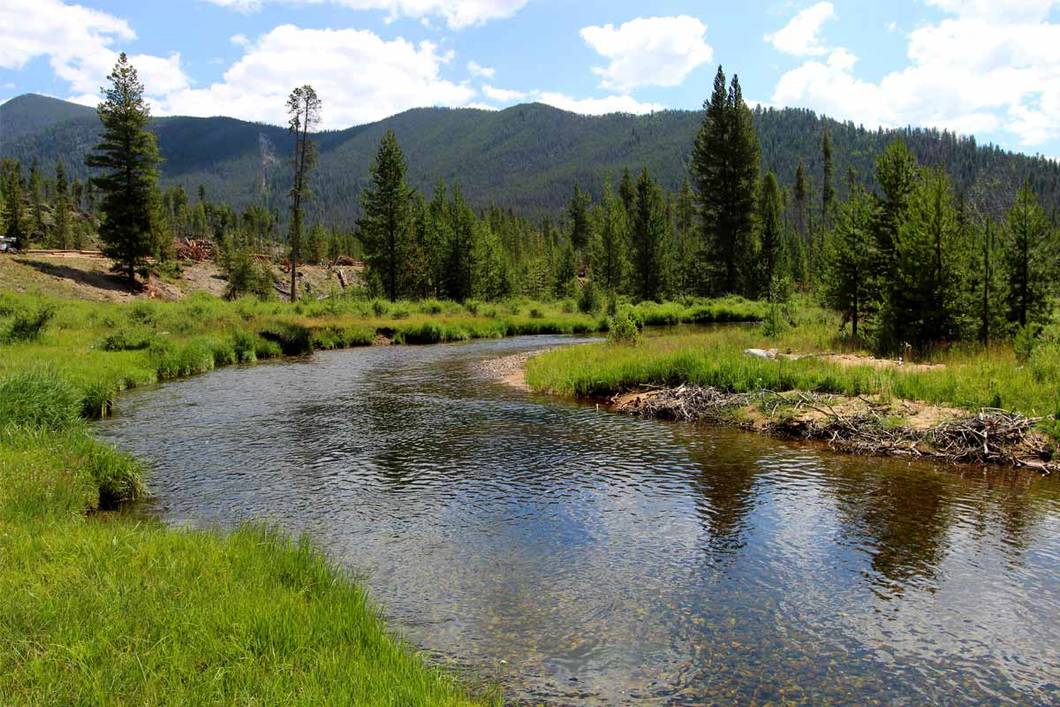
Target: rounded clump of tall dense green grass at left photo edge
{"x": 39, "y": 399}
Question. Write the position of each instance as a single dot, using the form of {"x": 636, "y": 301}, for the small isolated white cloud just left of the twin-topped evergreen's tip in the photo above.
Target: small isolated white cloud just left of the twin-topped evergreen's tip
{"x": 649, "y": 51}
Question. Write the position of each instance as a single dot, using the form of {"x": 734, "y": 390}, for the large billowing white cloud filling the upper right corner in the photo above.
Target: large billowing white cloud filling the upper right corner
{"x": 988, "y": 67}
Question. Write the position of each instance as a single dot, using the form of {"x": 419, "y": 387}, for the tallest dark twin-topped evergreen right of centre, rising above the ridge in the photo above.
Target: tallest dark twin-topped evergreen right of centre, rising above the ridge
{"x": 726, "y": 163}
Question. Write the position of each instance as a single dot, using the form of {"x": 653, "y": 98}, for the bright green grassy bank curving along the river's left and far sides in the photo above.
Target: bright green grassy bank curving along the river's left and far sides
{"x": 98, "y": 608}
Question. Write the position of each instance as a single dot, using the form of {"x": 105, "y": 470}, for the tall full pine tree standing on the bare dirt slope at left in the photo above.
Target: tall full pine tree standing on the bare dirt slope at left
{"x": 129, "y": 156}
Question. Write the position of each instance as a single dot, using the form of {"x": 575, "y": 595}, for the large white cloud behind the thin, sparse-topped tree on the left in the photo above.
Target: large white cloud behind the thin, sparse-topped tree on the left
{"x": 360, "y": 77}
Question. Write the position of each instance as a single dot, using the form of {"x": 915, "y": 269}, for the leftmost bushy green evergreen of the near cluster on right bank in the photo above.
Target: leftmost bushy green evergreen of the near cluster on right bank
{"x": 846, "y": 285}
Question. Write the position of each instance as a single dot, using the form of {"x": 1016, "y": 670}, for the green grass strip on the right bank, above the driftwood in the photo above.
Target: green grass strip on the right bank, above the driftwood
{"x": 969, "y": 378}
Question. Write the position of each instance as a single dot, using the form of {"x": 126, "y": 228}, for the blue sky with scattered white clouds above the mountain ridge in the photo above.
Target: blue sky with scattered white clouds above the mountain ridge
{"x": 990, "y": 68}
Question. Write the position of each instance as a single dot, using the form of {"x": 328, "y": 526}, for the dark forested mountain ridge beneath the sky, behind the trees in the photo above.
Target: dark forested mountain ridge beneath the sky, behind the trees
{"x": 526, "y": 158}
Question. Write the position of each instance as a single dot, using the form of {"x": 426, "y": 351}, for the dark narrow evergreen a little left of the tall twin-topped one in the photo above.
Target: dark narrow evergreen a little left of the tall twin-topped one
{"x": 648, "y": 236}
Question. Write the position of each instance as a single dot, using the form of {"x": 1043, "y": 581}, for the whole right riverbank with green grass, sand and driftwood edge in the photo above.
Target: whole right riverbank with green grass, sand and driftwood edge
{"x": 978, "y": 406}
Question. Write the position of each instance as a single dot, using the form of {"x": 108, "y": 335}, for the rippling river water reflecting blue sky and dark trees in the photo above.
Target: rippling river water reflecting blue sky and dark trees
{"x": 574, "y": 555}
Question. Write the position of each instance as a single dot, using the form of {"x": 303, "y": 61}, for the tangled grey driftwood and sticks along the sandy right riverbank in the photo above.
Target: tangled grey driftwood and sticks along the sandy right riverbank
{"x": 991, "y": 437}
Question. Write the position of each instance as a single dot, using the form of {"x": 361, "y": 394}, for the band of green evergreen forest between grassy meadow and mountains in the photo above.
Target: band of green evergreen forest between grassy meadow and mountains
{"x": 920, "y": 260}
